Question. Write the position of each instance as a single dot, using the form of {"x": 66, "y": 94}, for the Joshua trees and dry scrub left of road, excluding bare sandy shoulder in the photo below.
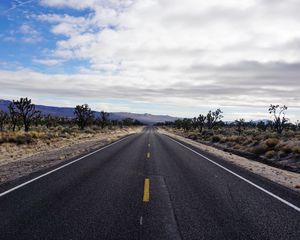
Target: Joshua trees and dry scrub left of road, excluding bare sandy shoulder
{"x": 21, "y": 123}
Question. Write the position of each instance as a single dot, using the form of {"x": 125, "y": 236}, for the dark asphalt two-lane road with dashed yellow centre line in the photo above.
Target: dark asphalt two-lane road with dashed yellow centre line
{"x": 148, "y": 186}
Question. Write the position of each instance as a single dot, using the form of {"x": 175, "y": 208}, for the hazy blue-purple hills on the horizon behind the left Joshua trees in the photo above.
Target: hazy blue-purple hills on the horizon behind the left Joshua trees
{"x": 68, "y": 112}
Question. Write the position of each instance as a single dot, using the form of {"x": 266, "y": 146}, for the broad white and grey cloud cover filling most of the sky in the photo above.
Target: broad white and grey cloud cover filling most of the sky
{"x": 196, "y": 52}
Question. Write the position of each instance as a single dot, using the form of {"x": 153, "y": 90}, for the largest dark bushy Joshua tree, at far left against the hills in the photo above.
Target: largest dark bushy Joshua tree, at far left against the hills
{"x": 26, "y": 110}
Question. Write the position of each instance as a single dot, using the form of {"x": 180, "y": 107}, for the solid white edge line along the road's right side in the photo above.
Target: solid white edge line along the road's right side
{"x": 240, "y": 177}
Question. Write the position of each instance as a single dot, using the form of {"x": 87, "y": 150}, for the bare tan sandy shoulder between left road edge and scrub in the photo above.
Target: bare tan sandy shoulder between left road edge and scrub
{"x": 20, "y": 160}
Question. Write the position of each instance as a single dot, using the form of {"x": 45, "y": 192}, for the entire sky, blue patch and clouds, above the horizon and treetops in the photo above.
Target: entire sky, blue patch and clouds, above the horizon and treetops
{"x": 174, "y": 57}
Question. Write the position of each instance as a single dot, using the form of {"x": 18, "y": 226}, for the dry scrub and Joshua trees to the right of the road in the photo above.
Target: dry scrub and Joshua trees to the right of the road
{"x": 276, "y": 141}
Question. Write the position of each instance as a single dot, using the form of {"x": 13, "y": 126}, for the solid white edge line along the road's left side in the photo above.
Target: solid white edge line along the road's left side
{"x": 56, "y": 169}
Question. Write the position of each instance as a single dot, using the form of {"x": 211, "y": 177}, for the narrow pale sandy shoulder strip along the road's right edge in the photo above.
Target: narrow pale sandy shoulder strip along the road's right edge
{"x": 283, "y": 177}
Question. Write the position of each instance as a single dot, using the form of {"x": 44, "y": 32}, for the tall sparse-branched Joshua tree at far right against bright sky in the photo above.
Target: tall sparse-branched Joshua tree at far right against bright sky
{"x": 279, "y": 119}
